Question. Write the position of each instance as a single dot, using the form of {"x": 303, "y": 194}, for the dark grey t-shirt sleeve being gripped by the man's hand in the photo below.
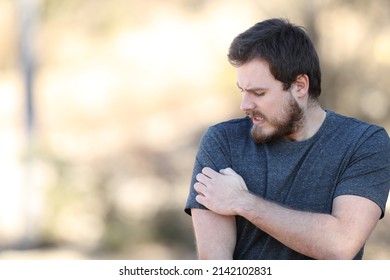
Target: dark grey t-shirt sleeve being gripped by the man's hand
{"x": 213, "y": 152}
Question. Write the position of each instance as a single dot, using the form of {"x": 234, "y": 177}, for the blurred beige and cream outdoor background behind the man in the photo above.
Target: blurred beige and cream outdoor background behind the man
{"x": 103, "y": 103}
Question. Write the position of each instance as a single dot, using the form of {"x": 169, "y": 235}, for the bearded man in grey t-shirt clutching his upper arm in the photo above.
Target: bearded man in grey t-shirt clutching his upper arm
{"x": 290, "y": 180}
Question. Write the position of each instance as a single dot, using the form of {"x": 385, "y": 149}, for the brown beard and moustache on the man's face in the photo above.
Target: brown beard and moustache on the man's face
{"x": 281, "y": 128}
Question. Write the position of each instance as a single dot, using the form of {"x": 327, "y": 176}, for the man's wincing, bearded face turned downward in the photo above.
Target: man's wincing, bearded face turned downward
{"x": 274, "y": 112}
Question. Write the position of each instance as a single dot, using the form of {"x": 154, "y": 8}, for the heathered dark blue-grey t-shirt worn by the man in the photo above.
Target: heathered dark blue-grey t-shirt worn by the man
{"x": 345, "y": 157}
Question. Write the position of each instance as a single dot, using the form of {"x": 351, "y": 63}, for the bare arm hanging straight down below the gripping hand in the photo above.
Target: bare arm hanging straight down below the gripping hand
{"x": 215, "y": 234}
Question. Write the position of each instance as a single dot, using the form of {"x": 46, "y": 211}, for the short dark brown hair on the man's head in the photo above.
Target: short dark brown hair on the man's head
{"x": 286, "y": 48}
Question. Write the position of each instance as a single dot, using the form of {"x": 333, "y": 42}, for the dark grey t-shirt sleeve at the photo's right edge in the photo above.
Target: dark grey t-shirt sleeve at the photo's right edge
{"x": 368, "y": 171}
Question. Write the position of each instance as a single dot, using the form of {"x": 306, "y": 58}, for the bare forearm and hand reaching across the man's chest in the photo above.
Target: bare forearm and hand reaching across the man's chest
{"x": 338, "y": 235}
